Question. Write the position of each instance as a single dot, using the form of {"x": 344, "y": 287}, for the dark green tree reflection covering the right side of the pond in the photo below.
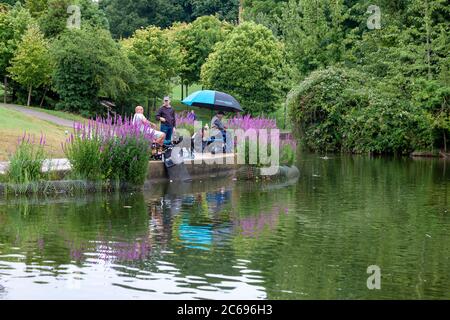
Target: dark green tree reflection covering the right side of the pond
{"x": 355, "y": 212}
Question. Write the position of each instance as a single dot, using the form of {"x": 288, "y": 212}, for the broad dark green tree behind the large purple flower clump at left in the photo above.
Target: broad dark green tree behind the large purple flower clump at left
{"x": 89, "y": 64}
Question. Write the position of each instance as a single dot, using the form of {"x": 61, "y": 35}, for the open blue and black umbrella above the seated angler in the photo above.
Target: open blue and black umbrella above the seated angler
{"x": 213, "y": 100}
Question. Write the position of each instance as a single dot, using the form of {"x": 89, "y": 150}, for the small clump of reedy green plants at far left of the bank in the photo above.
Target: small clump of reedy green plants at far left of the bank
{"x": 26, "y": 163}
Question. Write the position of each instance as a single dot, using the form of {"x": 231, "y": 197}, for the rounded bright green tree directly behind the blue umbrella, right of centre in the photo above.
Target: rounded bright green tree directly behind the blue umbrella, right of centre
{"x": 247, "y": 65}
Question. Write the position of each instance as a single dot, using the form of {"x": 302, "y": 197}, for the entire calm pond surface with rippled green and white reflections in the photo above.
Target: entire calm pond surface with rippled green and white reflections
{"x": 312, "y": 238}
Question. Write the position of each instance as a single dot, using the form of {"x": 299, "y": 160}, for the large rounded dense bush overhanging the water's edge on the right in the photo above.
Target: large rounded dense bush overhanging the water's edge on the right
{"x": 340, "y": 110}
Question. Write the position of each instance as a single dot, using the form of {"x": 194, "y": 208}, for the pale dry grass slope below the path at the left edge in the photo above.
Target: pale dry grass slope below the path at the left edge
{"x": 13, "y": 124}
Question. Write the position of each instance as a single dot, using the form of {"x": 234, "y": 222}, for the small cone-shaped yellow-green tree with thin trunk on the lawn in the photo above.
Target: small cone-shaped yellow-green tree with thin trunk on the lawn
{"x": 31, "y": 65}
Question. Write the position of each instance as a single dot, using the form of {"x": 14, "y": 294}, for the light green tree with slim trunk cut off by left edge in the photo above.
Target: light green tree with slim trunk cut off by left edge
{"x": 13, "y": 24}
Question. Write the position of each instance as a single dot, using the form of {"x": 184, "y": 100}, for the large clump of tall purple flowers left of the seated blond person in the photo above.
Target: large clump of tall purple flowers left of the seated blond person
{"x": 111, "y": 150}
